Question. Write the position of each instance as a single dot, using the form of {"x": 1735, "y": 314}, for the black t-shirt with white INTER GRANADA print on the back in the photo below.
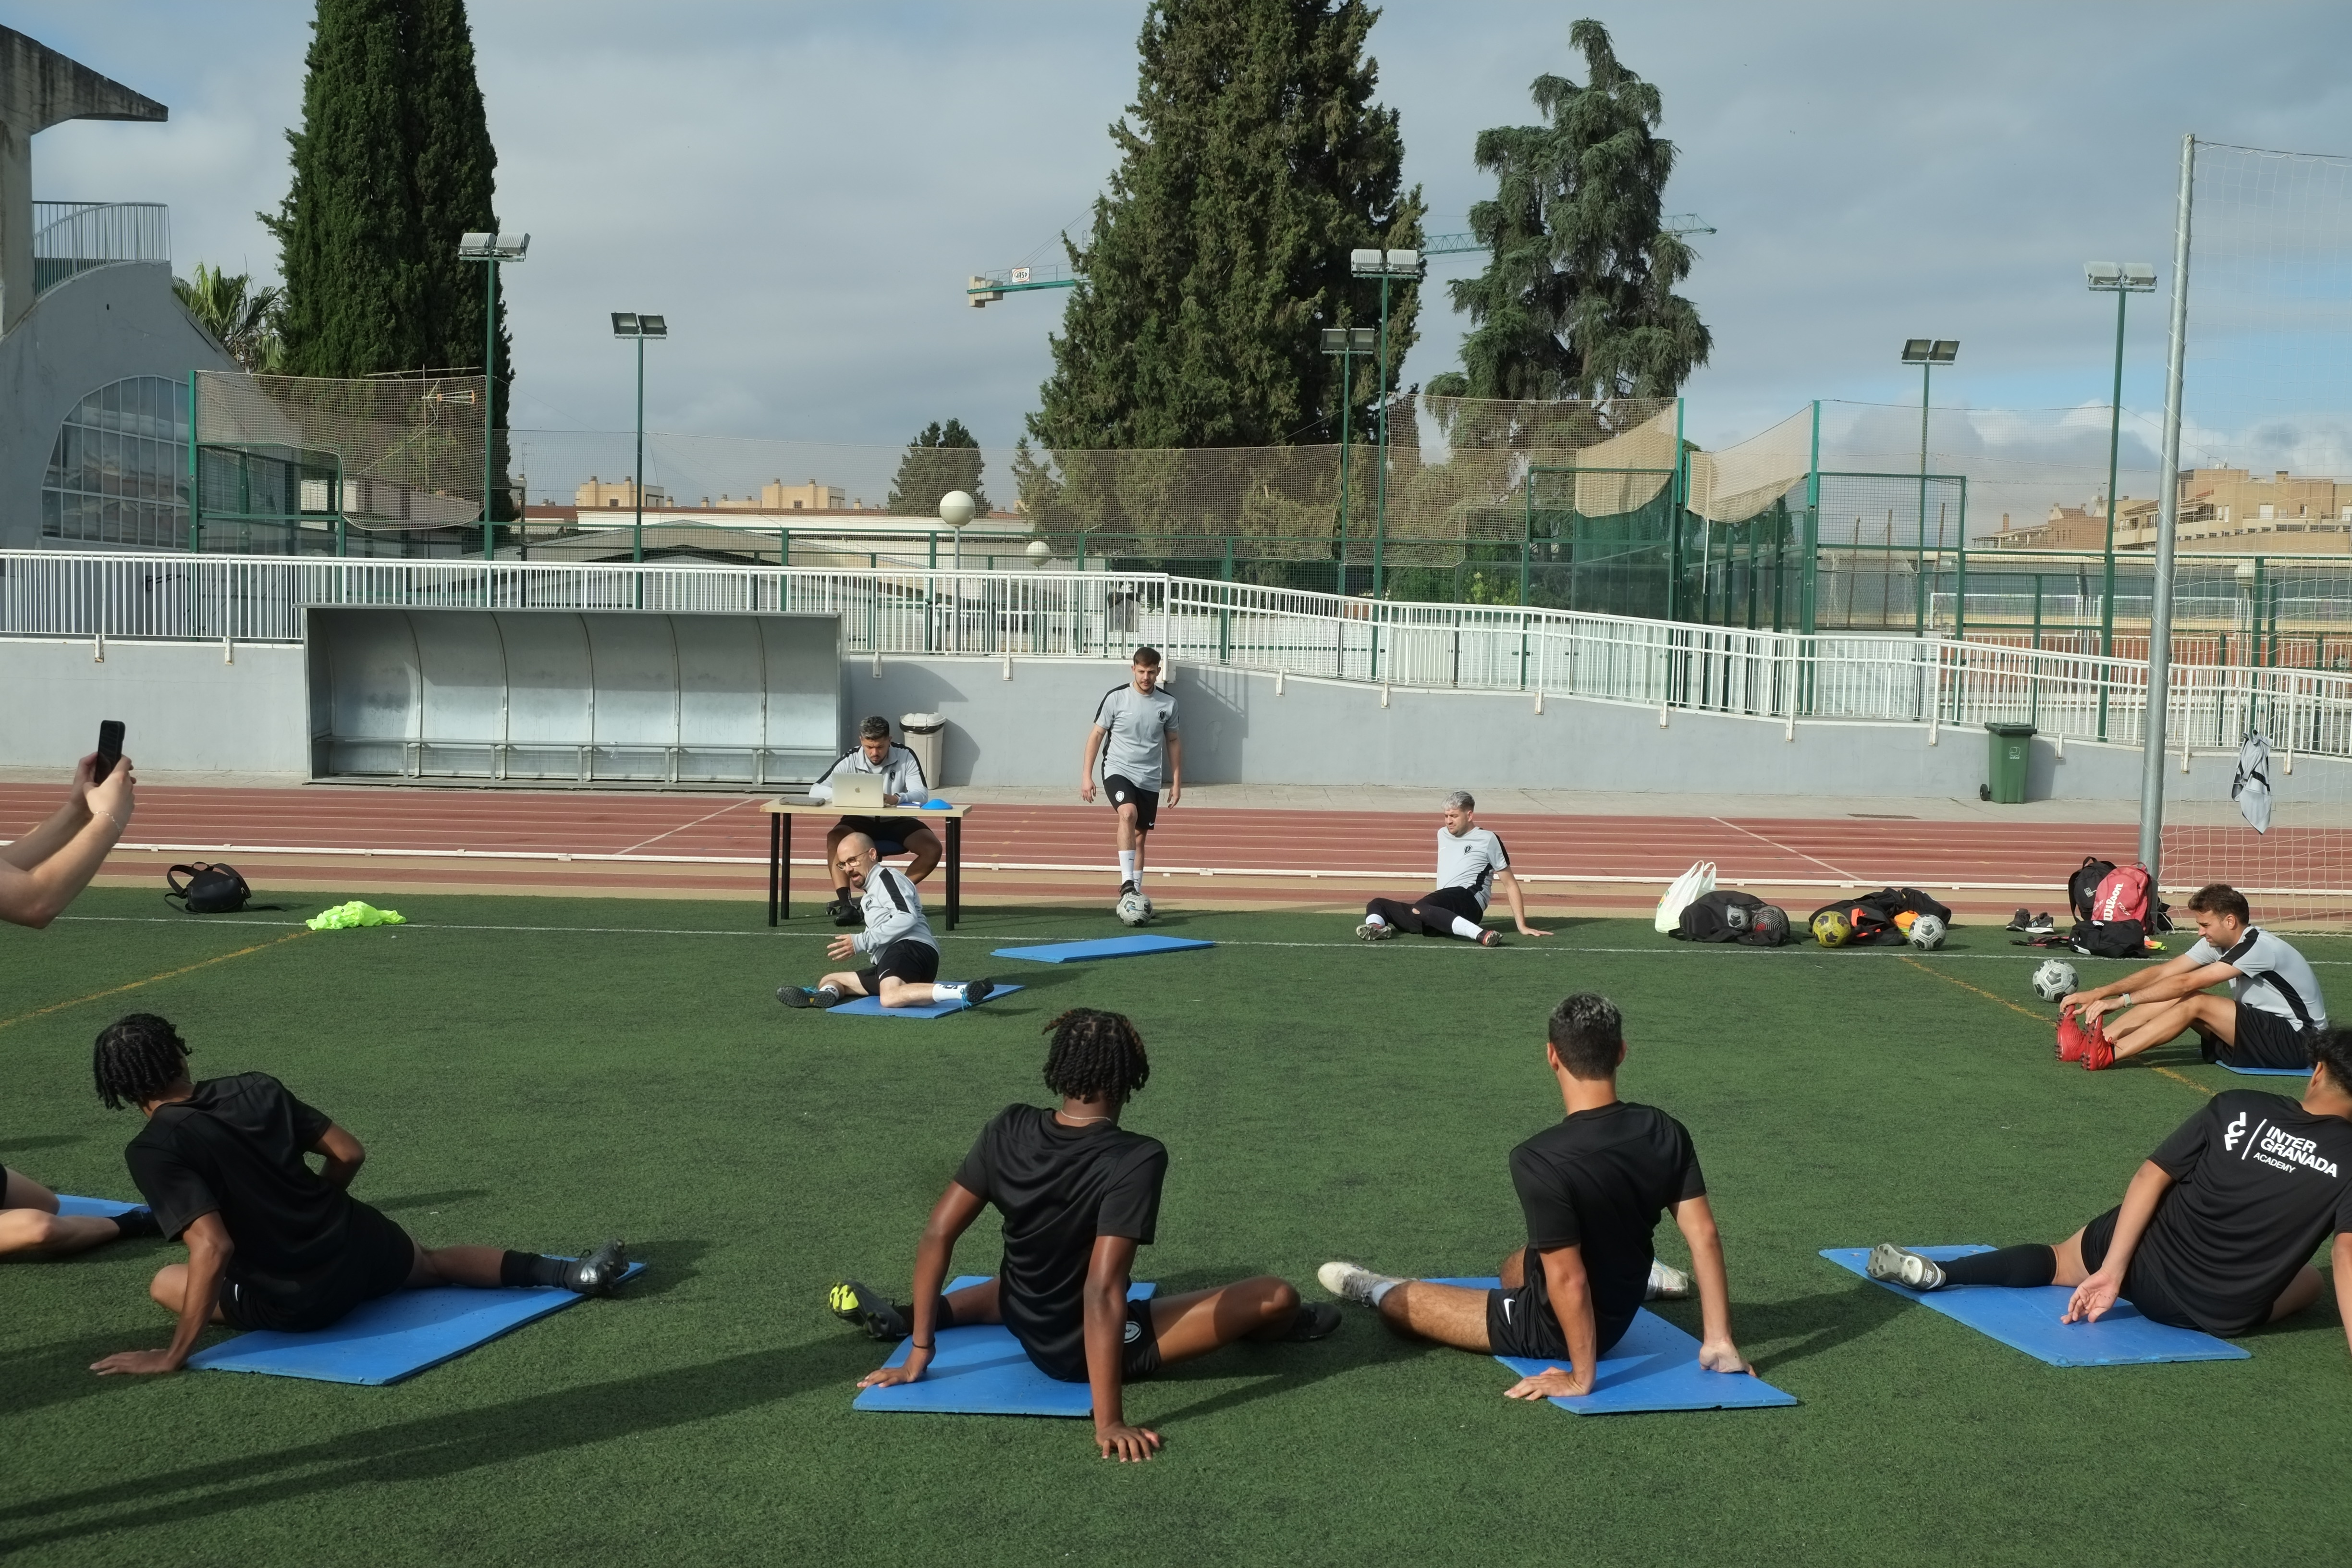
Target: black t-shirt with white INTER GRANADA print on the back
{"x": 2259, "y": 1184}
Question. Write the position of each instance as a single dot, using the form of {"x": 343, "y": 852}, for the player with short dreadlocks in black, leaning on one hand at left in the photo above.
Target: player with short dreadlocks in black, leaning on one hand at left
{"x": 272, "y": 1242}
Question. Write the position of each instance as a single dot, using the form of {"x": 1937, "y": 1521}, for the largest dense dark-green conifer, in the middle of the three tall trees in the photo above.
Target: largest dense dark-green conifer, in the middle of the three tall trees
{"x": 1250, "y": 166}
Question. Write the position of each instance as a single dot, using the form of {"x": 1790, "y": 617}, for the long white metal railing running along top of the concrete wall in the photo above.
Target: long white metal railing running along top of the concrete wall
{"x": 1104, "y": 615}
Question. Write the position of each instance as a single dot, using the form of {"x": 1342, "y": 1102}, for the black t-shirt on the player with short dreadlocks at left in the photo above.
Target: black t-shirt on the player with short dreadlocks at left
{"x": 236, "y": 1148}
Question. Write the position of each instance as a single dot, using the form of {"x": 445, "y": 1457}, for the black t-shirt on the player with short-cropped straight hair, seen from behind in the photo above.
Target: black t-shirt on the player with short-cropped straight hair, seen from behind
{"x": 1598, "y": 1181}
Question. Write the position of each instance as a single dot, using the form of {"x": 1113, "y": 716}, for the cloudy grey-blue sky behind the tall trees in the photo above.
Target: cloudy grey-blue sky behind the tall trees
{"x": 803, "y": 189}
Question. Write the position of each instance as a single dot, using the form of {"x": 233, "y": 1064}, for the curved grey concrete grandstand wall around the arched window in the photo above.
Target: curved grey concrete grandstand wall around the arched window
{"x": 95, "y": 328}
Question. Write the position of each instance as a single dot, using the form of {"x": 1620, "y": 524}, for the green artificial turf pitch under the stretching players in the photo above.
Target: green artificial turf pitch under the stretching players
{"x": 544, "y": 1073}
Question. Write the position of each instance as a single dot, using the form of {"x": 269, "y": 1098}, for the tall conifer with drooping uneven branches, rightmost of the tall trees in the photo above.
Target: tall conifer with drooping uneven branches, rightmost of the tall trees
{"x": 1577, "y": 300}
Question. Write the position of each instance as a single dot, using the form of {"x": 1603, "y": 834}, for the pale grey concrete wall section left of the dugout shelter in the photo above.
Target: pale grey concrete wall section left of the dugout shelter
{"x": 185, "y": 709}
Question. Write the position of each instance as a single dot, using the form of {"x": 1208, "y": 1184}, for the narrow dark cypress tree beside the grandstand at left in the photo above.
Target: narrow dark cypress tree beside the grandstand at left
{"x": 392, "y": 166}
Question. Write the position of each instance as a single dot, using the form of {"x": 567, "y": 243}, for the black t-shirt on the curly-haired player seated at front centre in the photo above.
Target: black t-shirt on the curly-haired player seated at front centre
{"x": 1060, "y": 1188}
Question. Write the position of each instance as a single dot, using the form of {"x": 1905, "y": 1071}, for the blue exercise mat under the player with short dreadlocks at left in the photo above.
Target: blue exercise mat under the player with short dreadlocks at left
{"x": 394, "y": 1336}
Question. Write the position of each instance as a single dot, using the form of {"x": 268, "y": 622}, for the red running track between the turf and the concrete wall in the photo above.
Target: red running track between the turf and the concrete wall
{"x": 716, "y": 829}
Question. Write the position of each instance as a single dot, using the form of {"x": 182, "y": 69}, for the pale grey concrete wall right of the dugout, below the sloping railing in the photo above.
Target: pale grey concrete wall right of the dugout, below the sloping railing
{"x": 1238, "y": 730}
